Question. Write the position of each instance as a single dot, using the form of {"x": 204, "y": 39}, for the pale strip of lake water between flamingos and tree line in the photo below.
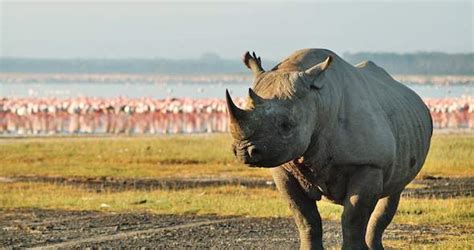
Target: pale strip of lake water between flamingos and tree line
{"x": 178, "y": 90}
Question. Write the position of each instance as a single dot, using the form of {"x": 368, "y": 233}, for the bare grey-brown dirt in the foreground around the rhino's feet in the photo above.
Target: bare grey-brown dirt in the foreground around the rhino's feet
{"x": 67, "y": 229}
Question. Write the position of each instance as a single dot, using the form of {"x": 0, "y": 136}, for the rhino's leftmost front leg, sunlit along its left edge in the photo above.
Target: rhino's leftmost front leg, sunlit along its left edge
{"x": 304, "y": 209}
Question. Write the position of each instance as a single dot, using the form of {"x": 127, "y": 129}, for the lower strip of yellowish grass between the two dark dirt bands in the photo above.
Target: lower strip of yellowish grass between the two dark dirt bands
{"x": 226, "y": 200}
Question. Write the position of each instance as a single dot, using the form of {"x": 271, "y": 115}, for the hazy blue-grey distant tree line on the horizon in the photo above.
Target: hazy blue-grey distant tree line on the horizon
{"x": 427, "y": 63}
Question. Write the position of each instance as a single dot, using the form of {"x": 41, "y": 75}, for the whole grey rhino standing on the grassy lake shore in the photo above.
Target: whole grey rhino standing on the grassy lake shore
{"x": 363, "y": 135}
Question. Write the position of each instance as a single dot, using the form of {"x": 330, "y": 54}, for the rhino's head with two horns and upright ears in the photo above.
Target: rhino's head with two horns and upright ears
{"x": 279, "y": 118}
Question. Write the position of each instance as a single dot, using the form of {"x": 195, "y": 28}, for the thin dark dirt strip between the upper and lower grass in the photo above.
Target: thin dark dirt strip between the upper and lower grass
{"x": 428, "y": 187}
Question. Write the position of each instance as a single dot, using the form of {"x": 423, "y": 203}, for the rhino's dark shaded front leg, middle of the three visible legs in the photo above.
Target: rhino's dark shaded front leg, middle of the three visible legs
{"x": 363, "y": 190}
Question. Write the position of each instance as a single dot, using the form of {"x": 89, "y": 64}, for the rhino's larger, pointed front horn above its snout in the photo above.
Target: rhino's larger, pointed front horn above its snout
{"x": 237, "y": 118}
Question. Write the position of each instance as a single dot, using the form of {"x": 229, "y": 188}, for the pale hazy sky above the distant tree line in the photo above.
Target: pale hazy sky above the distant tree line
{"x": 182, "y": 30}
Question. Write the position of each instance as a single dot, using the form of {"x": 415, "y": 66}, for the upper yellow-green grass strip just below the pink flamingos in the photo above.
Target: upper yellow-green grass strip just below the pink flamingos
{"x": 178, "y": 156}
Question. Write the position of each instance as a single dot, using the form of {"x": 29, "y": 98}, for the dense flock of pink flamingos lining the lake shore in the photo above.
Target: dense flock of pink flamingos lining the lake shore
{"x": 44, "y": 116}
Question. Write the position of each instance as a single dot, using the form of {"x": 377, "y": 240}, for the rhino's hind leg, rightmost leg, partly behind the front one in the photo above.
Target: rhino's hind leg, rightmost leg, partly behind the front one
{"x": 380, "y": 219}
